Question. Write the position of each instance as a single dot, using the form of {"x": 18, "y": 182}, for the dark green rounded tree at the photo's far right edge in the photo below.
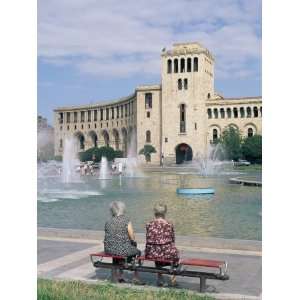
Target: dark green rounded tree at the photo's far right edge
{"x": 252, "y": 149}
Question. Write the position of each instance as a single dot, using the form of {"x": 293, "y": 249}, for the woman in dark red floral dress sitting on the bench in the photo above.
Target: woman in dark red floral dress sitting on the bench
{"x": 160, "y": 241}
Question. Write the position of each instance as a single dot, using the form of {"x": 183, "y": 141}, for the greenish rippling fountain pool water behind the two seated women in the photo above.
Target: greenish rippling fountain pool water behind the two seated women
{"x": 233, "y": 212}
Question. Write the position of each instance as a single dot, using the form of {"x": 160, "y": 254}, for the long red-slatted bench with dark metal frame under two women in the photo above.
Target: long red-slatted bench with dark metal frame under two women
{"x": 213, "y": 269}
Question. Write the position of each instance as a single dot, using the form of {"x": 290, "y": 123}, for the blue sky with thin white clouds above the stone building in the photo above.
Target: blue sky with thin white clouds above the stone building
{"x": 97, "y": 50}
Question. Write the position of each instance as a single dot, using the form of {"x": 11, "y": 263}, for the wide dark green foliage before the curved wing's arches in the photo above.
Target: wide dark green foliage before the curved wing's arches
{"x": 96, "y": 154}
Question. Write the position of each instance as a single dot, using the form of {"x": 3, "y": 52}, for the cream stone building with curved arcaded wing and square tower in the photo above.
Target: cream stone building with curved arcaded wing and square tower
{"x": 180, "y": 117}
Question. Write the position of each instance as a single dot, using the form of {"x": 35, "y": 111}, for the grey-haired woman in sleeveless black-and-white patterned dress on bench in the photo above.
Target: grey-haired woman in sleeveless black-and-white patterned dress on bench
{"x": 119, "y": 239}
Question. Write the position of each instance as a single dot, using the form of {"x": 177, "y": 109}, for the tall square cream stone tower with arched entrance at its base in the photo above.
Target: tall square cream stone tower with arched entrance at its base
{"x": 187, "y": 82}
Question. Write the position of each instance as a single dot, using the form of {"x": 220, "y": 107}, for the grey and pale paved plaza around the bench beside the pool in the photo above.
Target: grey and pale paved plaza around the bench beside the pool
{"x": 64, "y": 254}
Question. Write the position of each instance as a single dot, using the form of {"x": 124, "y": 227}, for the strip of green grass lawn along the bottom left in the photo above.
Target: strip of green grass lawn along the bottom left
{"x": 76, "y": 290}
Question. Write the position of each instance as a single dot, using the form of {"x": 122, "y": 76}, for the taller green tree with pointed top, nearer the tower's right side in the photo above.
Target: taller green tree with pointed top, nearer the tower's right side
{"x": 231, "y": 141}
